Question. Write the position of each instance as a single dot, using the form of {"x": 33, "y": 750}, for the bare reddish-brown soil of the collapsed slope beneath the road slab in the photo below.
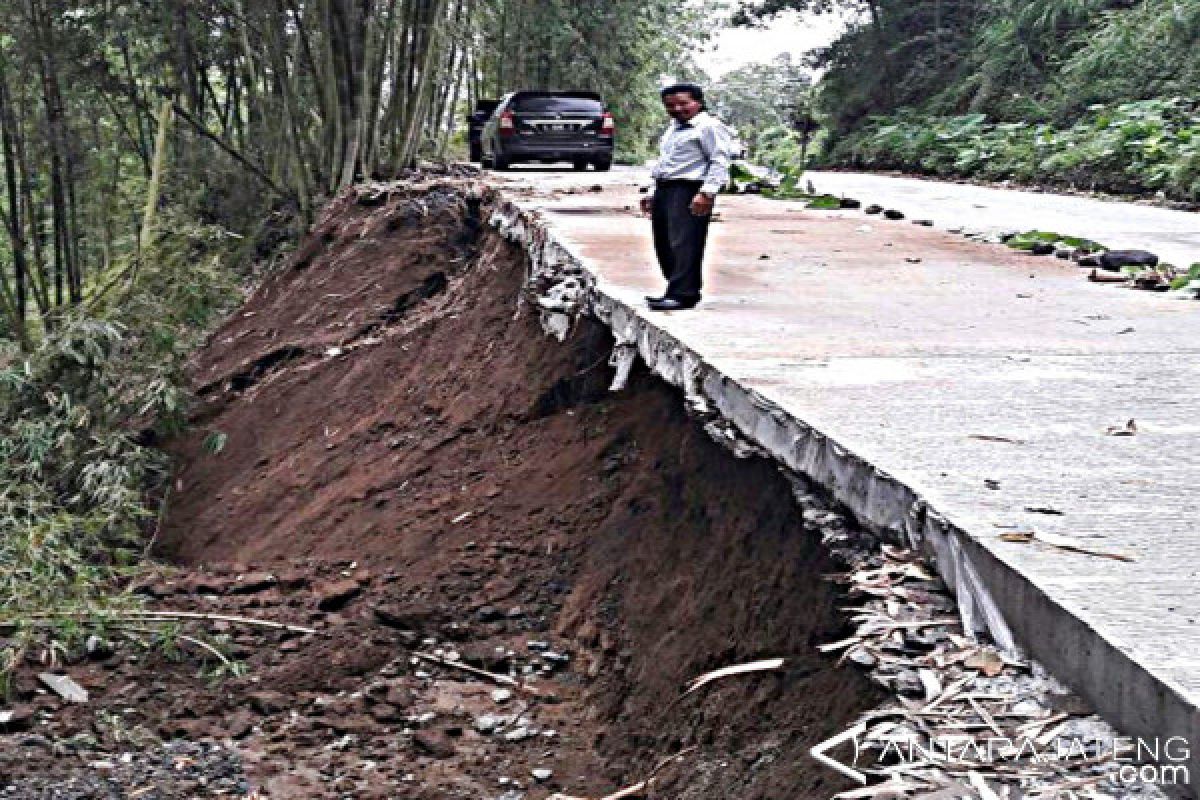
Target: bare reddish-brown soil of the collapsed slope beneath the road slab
{"x": 412, "y": 466}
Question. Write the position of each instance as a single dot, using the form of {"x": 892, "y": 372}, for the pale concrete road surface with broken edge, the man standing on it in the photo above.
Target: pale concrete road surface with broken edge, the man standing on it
{"x": 969, "y": 382}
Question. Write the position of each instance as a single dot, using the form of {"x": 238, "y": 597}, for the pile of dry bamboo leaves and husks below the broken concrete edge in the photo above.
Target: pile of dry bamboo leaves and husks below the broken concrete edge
{"x": 952, "y": 689}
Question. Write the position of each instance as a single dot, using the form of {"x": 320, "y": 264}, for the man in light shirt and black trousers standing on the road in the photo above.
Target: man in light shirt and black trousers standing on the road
{"x": 694, "y": 165}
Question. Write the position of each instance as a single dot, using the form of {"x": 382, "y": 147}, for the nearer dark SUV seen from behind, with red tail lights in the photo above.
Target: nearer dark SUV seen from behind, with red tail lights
{"x": 548, "y": 127}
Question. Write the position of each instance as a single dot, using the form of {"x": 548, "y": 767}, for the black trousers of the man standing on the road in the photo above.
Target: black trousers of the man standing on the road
{"x": 680, "y": 238}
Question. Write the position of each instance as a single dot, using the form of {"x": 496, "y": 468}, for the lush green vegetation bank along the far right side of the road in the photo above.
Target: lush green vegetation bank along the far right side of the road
{"x": 1085, "y": 94}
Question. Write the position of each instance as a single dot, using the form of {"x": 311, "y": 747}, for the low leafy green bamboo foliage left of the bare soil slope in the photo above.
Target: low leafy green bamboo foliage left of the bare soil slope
{"x": 77, "y": 484}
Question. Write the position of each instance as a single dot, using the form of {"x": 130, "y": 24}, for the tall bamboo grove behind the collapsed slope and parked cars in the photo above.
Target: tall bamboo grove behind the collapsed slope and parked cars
{"x": 115, "y": 112}
